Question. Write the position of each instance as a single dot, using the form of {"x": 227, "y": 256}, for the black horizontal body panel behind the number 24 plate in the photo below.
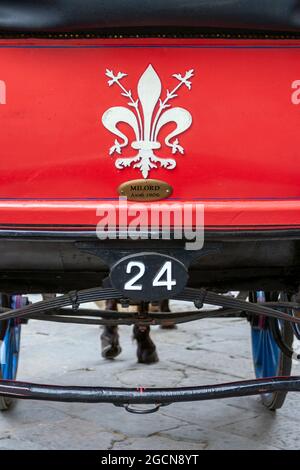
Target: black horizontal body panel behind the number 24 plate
{"x": 59, "y": 261}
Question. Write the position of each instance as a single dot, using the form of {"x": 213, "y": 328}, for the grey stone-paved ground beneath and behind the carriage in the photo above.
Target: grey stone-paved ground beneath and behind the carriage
{"x": 203, "y": 352}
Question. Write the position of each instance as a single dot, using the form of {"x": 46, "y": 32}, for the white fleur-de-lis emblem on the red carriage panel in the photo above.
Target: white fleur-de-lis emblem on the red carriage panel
{"x": 148, "y": 114}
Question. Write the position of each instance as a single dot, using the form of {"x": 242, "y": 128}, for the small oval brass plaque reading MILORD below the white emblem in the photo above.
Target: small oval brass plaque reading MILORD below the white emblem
{"x": 145, "y": 190}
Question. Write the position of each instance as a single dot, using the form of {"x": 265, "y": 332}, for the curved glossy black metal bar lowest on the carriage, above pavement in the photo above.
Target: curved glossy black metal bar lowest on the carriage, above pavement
{"x": 148, "y": 396}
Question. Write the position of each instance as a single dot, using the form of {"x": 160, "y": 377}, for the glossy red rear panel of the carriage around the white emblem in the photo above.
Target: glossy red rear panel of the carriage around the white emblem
{"x": 241, "y": 152}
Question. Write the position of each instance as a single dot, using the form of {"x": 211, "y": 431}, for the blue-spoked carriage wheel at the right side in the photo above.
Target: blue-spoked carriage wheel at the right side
{"x": 268, "y": 359}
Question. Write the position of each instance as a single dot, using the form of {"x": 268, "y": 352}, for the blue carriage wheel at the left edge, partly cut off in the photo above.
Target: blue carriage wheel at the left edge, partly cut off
{"x": 10, "y": 332}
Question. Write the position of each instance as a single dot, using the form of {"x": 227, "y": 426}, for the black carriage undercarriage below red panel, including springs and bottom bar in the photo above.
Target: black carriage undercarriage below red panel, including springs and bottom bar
{"x": 73, "y": 265}
